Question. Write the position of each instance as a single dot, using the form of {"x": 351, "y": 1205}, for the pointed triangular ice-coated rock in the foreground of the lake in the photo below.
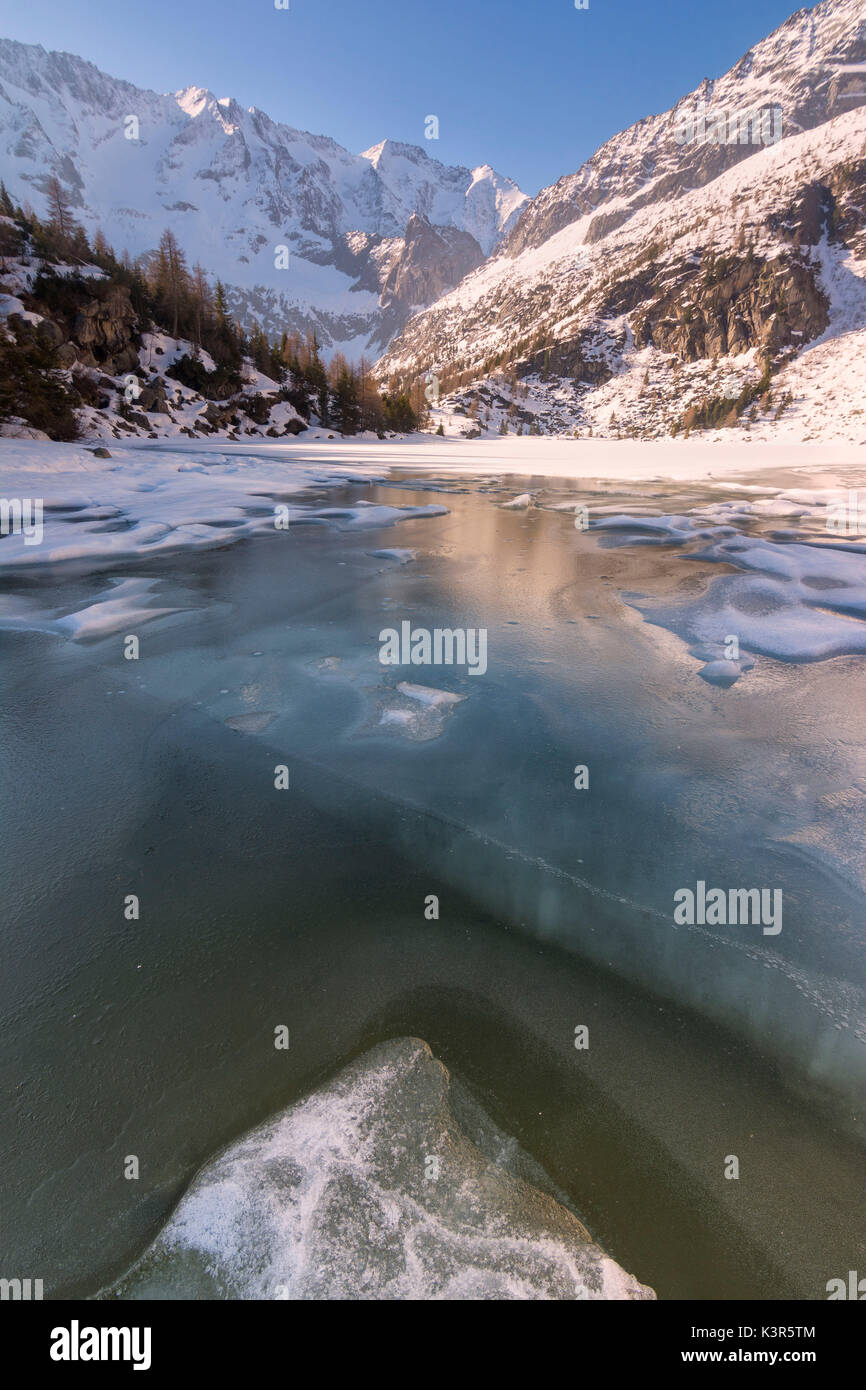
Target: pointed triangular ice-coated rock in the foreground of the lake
{"x": 387, "y": 1184}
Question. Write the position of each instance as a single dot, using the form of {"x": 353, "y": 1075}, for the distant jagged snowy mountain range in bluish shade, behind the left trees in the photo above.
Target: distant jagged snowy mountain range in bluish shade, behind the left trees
{"x": 236, "y": 186}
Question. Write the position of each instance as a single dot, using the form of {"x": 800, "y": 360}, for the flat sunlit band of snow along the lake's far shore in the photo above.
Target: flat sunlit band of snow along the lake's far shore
{"x": 227, "y": 471}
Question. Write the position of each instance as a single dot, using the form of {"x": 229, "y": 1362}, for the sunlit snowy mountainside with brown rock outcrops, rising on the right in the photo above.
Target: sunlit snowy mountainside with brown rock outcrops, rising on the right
{"x": 705, "y": 268}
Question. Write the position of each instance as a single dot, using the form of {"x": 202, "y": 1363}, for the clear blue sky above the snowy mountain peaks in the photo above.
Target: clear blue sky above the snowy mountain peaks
{"x": 530, "y": 87}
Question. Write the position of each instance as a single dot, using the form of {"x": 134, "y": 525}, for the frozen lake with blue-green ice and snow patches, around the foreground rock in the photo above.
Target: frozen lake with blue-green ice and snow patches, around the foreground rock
{"x": 607, "y": 608}
